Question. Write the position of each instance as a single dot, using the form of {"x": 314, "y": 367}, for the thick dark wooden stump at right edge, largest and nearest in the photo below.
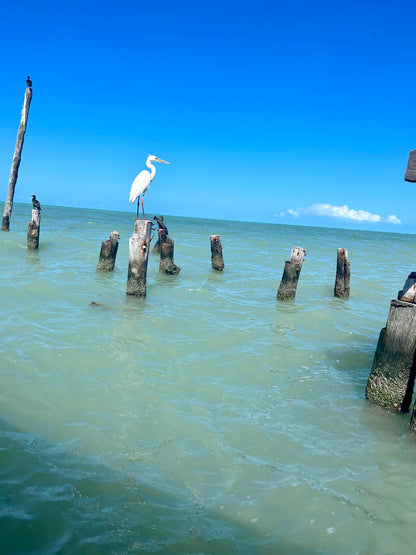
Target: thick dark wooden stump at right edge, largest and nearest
{"x": 391, "y": 379}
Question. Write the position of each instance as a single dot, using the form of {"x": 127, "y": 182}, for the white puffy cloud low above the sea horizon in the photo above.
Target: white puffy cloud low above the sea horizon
{"x": 341, "y": 213}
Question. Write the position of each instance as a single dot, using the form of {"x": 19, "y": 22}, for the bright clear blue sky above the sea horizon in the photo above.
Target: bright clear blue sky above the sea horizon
{"x": 288, "y": 112}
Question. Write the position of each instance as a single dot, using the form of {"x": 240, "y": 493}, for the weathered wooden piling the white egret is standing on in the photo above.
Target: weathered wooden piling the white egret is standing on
{"x": 139, "y": 244}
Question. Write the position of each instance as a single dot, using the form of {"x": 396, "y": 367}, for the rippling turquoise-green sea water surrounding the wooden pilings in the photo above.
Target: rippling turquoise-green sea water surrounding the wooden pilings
{"x": 207, "y": 417}
